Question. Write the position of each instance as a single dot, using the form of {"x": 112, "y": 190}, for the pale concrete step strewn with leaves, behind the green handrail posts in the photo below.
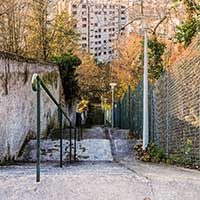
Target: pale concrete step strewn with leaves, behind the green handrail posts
{"x": 87, "y": 150}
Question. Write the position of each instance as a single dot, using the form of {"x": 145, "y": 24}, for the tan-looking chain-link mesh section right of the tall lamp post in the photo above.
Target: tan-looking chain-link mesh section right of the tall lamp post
{"x": 177, "y": 105}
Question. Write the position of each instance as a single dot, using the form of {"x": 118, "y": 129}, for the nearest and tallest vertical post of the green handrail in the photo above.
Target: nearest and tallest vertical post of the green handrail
{"x": 38, "y": 133}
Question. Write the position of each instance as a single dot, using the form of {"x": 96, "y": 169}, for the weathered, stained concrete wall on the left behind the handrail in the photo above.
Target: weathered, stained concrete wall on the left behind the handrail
{"x": 18, "y": 101}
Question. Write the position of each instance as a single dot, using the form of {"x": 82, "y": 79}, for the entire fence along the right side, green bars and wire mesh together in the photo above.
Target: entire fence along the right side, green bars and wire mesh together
{"x": 174, "y": 108}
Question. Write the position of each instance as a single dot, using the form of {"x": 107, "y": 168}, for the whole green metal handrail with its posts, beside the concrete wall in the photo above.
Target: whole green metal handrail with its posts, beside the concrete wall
{"x": 37, "y": 84}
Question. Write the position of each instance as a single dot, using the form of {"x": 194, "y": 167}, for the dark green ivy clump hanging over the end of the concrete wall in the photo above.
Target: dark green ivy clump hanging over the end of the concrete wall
{"x": 67, "y": 64}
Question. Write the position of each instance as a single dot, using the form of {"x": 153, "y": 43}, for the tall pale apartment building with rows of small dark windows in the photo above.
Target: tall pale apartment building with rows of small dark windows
{"x": 99, "y": 24}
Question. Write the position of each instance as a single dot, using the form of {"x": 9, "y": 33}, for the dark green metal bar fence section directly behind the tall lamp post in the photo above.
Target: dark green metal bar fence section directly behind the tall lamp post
{"x": 129, "y": 111}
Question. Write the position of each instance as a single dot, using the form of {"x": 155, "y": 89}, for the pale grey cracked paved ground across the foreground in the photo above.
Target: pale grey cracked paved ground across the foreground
{"x": 124, "y": 179}
